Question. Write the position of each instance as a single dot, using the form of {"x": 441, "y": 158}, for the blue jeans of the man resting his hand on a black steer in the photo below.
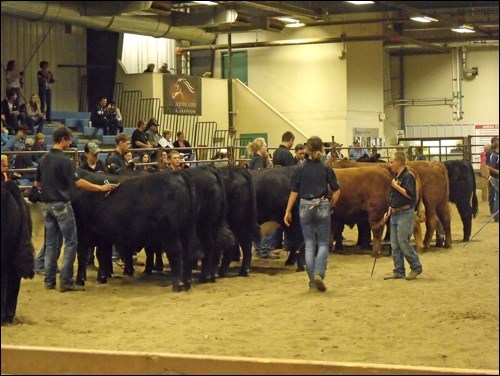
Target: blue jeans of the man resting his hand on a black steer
{"x": 59, "y": 220}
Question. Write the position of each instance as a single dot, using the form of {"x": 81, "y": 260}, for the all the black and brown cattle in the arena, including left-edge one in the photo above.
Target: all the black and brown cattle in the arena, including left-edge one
{"x": 207, "y": 213}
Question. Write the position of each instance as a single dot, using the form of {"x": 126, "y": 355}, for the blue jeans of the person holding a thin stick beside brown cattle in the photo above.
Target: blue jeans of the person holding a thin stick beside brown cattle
{"x": 401, "y": 230}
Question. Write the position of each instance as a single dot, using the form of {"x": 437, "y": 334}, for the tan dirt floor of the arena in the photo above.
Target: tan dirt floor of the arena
{"x": 448, "y": 317}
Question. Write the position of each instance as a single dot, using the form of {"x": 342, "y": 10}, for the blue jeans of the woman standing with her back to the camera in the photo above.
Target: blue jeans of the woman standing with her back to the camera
{"x": 315, "y": 223}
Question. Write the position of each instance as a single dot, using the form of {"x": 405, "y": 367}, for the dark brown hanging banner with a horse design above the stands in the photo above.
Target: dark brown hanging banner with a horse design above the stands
{"x": 182, "y": 95}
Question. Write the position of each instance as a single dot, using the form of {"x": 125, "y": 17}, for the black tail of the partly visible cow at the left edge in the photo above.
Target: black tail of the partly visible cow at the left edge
{"x": 24, "y": 258}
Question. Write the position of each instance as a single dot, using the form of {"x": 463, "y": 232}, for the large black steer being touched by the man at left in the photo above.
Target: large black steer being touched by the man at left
{"x": 158, "y": 211}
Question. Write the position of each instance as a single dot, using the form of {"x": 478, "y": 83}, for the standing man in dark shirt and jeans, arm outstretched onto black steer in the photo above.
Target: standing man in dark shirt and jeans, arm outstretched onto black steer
{"x": 55, "y": 174}
